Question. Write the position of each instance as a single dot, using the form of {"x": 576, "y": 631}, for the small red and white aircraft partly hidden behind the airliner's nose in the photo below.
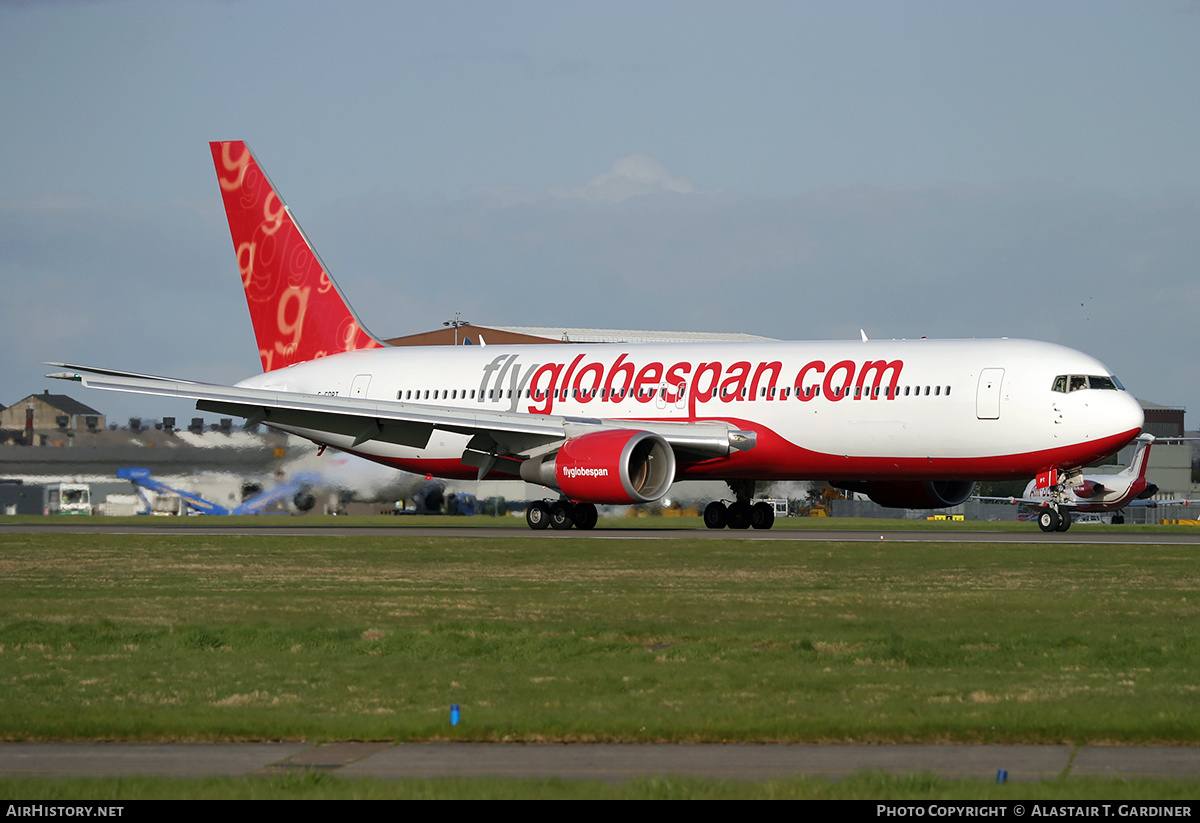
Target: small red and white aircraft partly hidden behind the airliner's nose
{"x": 1054, "y": 500}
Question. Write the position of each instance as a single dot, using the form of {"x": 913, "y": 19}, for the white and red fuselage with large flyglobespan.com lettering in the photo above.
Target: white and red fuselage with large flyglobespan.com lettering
{"x": 890, "y": 410}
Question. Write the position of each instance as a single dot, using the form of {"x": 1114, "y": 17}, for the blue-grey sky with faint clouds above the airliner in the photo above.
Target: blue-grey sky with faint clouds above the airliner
{"x": 794, "y": 170}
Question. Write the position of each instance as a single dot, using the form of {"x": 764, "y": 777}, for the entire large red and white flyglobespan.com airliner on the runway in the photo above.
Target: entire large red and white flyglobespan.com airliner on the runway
{"x": 909, "y": 423}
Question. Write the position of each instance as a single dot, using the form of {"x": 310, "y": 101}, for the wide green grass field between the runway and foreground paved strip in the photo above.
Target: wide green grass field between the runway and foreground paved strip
{"x": 177, "y": 638}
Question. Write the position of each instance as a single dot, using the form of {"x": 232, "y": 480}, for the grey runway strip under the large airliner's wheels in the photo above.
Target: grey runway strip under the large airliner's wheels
{"x": 289, "y": 527}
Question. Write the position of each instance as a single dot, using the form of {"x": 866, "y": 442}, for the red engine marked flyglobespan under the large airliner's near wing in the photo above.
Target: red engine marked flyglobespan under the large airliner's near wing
{"x": 615, "y": 466}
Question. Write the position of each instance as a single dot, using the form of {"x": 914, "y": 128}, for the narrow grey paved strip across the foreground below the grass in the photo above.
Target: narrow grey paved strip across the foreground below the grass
{"x": 601, "y": 762}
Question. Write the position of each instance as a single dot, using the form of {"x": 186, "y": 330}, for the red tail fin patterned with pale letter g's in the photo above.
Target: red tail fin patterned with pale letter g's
{"x": 298, "y": 311}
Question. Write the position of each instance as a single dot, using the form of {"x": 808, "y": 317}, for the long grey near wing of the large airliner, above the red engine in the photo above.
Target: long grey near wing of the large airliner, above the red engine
{"x": 494, "y": 432}
